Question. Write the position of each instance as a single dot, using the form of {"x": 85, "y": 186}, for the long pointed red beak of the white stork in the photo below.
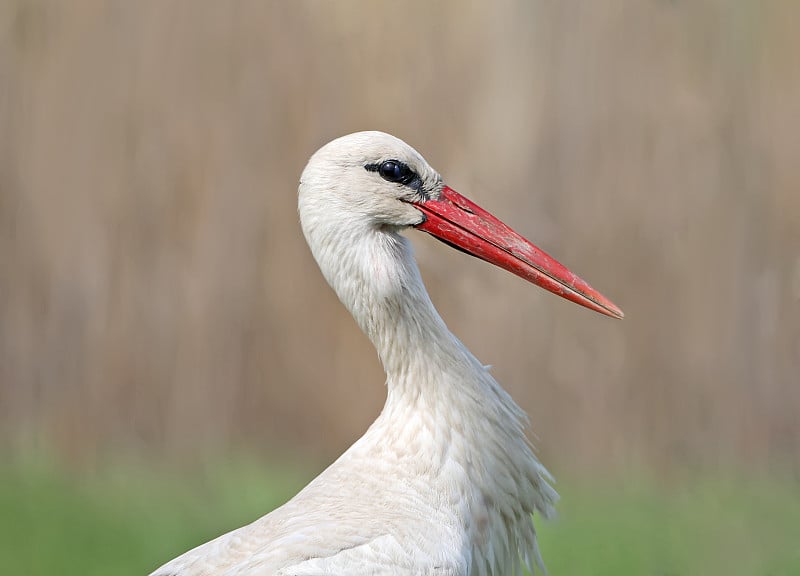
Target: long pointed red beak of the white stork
{"x": 461, "y": 223}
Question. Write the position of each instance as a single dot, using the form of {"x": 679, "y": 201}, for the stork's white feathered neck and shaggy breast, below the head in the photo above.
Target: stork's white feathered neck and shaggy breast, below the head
{"x": 438, "y": 389}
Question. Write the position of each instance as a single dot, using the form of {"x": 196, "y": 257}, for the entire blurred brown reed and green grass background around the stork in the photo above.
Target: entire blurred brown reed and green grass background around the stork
{"x": 173, "y": 365}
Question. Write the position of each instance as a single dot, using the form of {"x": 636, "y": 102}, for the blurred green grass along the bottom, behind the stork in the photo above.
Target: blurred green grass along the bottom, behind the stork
{"x": 125, "y": 519}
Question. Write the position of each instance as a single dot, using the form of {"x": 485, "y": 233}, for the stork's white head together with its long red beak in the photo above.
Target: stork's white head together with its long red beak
{"x": 371, "y": 181}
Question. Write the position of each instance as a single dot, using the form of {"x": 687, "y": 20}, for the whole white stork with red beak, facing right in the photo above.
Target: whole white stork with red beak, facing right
{"x": 445, "y": 481}
